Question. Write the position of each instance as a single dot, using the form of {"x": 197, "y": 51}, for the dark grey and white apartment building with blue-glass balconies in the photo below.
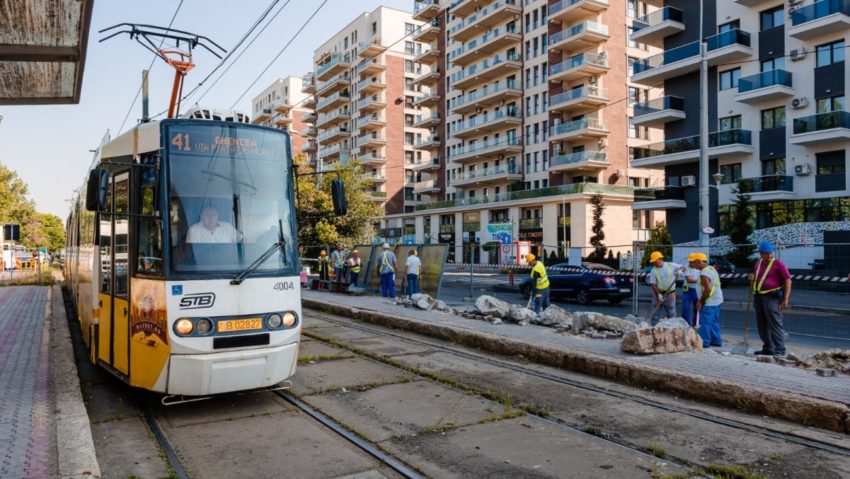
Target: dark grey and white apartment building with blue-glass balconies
{"x": 777, "y": 115}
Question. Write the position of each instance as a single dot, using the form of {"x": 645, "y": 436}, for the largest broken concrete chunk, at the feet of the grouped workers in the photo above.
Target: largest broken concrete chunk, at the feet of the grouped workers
{"x": 668, "y": 336}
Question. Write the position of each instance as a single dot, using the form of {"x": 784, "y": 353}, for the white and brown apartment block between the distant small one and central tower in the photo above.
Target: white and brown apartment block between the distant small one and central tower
{"x": 364, "y": 93}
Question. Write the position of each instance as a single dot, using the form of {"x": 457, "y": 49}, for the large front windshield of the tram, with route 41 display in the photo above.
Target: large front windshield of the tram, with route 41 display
{"x": 228, "y": 198}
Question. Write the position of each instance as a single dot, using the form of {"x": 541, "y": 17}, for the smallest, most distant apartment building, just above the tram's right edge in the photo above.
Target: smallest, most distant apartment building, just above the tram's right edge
{"x": 281, "y": 105}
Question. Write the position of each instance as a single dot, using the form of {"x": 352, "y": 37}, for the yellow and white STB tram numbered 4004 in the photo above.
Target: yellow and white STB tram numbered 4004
{"x": 182, "y": 257}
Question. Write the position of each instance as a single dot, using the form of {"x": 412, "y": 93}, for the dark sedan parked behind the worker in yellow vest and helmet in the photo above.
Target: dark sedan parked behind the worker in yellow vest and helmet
{"x": 579, "y": 283}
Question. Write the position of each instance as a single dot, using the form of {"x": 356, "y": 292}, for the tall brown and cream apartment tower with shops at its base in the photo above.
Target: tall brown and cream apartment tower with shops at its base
{"x": 531, "y": 107}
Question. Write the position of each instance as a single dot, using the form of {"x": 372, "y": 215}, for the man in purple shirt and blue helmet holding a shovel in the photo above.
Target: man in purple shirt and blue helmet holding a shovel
{"x": 771, "y": 285}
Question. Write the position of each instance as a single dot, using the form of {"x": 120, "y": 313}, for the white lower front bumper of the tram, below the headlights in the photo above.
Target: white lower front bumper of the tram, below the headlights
{"x": 227, "y": 371}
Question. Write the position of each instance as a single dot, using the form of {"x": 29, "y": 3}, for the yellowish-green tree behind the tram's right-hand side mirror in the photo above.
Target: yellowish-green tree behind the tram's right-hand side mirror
{"x": 317, "y": 223}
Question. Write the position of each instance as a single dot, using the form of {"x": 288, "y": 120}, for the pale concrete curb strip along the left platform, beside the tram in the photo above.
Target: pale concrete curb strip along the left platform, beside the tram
{"x": 77, "y": 457}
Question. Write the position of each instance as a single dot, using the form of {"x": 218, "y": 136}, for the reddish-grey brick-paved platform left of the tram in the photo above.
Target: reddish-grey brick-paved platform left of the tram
{"x": 30, "y": 408}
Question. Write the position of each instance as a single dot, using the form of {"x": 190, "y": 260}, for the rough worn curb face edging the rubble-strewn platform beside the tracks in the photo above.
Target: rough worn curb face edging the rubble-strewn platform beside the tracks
{"x": 783, "y": 405}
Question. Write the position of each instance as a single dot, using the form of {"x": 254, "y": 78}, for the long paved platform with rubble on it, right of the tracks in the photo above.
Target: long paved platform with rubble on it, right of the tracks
{"x": 720, "y": 378}
